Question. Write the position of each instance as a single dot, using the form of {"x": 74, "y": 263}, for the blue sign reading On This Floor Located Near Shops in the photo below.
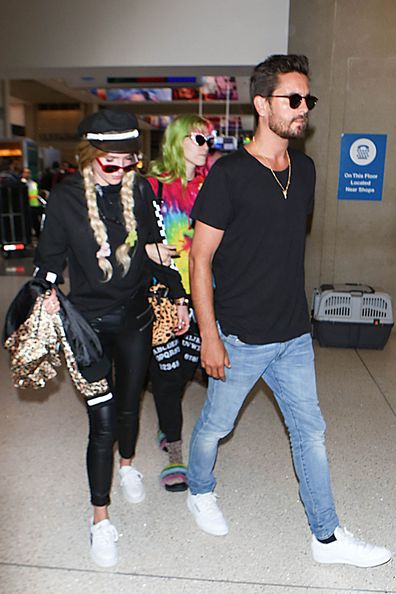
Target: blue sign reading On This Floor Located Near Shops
{"x": 362, "y": 162}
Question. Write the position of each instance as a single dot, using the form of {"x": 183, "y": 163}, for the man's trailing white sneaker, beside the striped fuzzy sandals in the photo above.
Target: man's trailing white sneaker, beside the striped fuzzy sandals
{"x": 207, "y": 513}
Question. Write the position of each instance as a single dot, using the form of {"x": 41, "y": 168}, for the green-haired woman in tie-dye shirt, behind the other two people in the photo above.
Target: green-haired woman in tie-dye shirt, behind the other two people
{"x": 176, "y": 178}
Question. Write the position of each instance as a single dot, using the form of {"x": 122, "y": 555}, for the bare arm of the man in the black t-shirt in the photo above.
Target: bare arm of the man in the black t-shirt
{"x": 205, "y": 243}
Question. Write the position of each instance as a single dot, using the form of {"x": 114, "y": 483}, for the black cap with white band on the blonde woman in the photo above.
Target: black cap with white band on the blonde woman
{"x": 111, "y": 131}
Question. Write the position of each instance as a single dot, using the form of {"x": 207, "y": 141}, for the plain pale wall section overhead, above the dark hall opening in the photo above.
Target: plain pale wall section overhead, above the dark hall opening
{"x": 139, "y": 34}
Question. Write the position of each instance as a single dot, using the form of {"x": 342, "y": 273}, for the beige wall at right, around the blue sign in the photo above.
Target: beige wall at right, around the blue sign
{"x": 352, "y": 51}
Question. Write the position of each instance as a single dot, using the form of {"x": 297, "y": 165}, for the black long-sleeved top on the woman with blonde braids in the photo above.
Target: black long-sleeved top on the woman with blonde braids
{"x": 67, "y": 238}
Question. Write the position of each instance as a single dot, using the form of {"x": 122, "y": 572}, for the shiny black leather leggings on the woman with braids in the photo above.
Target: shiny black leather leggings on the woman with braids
{"x": 127, "y": 343}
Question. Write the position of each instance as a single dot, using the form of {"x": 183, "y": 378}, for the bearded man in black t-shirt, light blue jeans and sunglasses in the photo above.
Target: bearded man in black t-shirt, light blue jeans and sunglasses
{"x": 250, "y": 227}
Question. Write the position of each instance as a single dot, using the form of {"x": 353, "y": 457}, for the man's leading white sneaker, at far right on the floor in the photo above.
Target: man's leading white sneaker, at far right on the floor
{"x": 348, "y": 550}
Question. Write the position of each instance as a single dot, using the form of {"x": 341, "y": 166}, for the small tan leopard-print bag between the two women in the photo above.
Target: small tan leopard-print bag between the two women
{"x": 165, "y": 312}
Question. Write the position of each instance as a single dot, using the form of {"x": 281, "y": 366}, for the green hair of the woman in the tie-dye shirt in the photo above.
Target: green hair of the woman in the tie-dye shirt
{"x": 171, "y": 164}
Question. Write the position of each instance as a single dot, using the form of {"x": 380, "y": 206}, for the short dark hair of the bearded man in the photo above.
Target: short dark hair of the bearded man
{"x": 264, "y": 79}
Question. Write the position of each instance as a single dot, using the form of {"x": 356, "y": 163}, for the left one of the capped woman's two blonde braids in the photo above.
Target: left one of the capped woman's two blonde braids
{"x": 97, "y": 225}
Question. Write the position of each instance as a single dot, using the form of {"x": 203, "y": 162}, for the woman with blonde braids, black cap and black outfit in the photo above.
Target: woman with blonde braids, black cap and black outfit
{"x": 98, "y": 223}
